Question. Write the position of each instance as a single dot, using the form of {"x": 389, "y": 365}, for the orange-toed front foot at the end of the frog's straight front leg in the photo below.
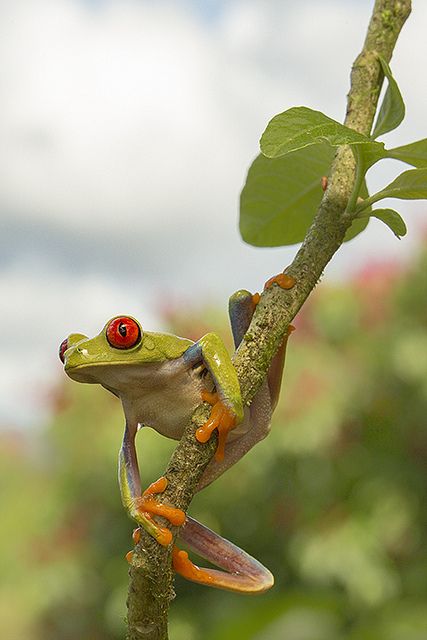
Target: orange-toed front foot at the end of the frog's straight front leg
{"x": 146, "y": 506}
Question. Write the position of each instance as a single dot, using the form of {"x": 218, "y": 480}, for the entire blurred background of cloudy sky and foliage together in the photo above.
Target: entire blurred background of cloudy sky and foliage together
{"x": 126, "y": 130}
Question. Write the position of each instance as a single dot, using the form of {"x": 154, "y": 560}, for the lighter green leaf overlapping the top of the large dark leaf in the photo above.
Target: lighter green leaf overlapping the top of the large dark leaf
{"x": 300, "y": 127}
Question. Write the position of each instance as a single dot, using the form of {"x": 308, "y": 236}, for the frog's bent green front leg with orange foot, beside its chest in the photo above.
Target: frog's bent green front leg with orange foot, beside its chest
{"x": 227, "y": 408}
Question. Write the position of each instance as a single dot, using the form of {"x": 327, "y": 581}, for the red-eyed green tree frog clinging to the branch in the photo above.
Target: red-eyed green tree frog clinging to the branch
{"x": 160, "y": 379}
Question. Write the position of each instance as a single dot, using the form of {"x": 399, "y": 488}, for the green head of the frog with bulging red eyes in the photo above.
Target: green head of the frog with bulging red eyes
{"x": 121, "y": 342}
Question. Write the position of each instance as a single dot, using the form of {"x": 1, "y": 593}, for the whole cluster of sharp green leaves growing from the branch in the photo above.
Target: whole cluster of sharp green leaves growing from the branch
{"x": 281, "y": 193}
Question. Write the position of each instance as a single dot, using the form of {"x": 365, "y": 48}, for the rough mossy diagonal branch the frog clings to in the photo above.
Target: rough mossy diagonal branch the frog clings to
{"x": 151, "y": 579}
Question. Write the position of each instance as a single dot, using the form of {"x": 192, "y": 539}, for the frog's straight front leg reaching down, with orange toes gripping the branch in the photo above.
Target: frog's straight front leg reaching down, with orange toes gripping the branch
{"x": 141, "y": 507}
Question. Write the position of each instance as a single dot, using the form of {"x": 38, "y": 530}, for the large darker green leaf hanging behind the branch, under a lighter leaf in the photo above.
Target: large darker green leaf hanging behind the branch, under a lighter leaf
{"x": 282, "y": 195}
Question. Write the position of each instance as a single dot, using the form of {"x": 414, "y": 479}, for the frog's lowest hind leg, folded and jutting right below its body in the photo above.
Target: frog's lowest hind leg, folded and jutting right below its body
{"x": 242, "y": 573}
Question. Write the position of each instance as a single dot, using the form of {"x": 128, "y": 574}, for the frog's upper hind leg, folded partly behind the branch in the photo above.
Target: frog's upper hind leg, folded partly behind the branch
{"x": 258, "y": 417}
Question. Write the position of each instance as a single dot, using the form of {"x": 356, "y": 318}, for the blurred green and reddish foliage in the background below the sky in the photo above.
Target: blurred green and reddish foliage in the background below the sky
{"x": 333, "y": 501}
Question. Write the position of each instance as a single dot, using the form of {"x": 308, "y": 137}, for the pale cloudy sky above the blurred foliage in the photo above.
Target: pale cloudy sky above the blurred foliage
{"x": 126, "y": 130}
